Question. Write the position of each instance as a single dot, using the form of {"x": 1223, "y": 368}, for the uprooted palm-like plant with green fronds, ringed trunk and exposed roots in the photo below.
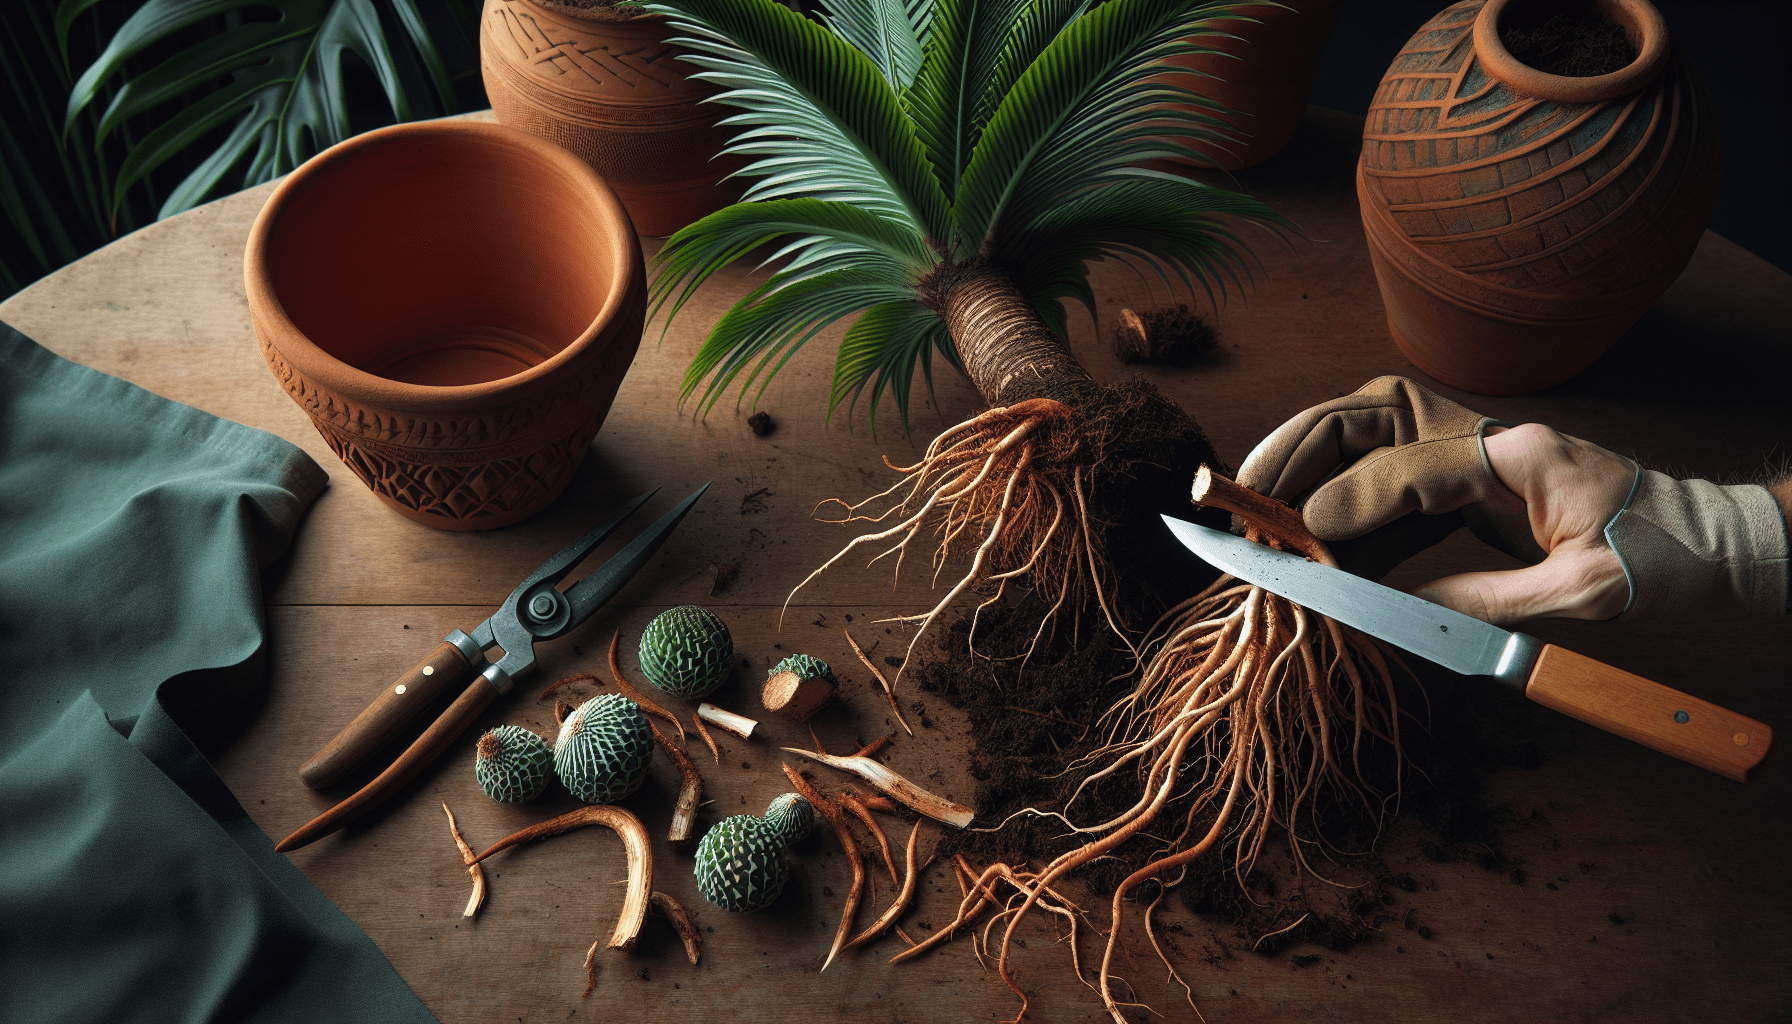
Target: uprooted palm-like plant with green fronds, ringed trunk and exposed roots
{"x": 947, "y": 169}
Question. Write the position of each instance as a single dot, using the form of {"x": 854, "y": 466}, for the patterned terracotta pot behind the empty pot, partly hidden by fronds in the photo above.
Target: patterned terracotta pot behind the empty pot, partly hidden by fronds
{"x": 610, "y": 91}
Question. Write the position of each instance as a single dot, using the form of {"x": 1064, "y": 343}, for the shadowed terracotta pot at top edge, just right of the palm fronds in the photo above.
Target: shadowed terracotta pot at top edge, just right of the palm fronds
{"x": 1264, "y": 76}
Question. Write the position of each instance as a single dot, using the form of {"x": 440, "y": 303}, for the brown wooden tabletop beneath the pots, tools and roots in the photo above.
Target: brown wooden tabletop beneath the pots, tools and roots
{"x": 1651, "y": 890}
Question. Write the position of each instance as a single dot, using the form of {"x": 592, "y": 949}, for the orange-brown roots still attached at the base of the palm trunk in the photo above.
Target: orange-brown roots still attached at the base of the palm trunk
{"x": 1010, "y": 489}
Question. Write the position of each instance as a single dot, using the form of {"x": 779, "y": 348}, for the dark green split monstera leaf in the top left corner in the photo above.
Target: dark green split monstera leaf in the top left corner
{"x": 282, "y": 83}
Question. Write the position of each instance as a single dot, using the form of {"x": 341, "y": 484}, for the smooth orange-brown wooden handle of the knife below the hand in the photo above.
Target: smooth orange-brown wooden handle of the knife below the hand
{"x": 1651, "y": 715}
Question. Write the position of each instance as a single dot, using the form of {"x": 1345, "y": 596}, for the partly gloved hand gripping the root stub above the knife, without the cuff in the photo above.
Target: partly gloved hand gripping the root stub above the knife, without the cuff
{"x": 1395, "y": 469}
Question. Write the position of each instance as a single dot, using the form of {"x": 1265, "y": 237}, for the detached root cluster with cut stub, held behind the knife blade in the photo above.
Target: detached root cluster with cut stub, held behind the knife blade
{"x": 1250, "y": 709}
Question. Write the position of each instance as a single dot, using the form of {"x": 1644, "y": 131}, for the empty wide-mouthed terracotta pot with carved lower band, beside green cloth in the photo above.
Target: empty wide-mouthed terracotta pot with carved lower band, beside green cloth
{"x": 454, "y": 306}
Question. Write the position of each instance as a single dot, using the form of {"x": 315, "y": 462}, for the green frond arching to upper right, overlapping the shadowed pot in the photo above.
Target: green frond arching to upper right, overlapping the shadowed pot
{"x": 1083, "y": 112}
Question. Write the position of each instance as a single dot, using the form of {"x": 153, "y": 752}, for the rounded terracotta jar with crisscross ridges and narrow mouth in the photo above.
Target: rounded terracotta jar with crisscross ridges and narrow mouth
{"x": 1521, "y": 221}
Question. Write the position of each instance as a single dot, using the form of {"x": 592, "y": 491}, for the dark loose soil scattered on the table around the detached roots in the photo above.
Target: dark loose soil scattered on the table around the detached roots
{"x": 1030, "y": 718}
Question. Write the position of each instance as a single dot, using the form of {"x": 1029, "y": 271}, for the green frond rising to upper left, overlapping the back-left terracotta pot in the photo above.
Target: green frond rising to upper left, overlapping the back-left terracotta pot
{"x": 831, "y": 125}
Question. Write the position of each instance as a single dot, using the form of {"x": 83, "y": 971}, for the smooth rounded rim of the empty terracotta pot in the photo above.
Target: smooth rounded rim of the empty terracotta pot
{"x": 381, "y": 392}
